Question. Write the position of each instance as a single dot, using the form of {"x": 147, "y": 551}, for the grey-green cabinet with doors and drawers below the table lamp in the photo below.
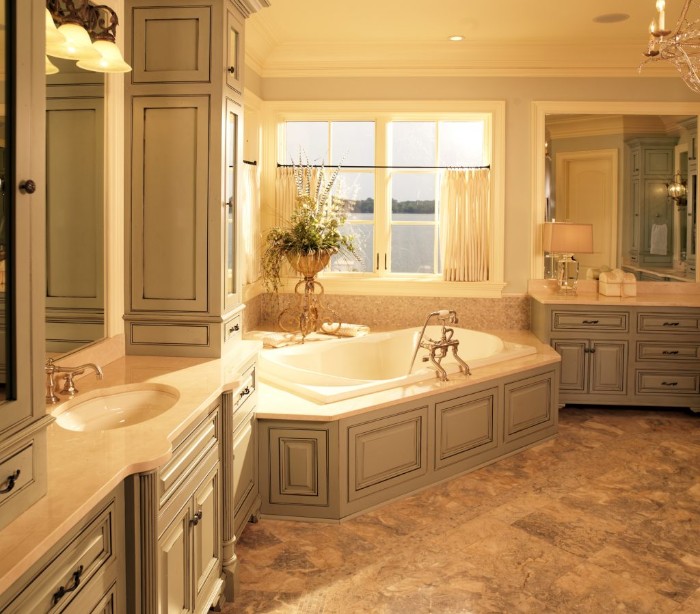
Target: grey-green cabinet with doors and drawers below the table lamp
{"x": 616, "y": 355}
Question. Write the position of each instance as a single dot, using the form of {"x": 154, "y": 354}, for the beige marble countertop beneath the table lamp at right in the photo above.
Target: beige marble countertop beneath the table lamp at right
{"x": 649, "y": 294}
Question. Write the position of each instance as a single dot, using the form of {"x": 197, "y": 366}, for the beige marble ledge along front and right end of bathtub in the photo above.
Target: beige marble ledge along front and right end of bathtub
{"x": 277, "y": 404}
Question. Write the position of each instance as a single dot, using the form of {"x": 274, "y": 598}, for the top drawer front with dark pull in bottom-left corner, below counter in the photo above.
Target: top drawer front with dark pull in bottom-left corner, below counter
{"x": 63, "y": 579}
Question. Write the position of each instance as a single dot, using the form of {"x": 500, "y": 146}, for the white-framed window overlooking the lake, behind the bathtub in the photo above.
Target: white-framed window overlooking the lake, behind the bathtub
{"x": 391, "y": 184}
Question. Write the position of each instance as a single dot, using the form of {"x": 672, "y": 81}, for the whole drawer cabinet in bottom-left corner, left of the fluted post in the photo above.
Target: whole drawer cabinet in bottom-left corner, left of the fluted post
{"x": 83, "y": 573}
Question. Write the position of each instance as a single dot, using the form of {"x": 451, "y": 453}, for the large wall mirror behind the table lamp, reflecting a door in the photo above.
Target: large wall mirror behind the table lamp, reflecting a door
{"x": 612, "y": 170}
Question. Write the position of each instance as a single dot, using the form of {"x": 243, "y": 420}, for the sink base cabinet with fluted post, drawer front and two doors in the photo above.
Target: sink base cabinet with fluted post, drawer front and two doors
{"x": 175, "y": 528}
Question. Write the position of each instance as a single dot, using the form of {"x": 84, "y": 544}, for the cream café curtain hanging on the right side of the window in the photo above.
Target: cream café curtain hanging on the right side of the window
{"x": 464, "y": 224}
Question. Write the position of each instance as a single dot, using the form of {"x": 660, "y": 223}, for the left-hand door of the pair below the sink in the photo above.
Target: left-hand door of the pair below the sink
{"x": 174, "y": 574}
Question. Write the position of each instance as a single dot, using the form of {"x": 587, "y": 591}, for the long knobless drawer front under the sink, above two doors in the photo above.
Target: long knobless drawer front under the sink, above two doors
{"x": 188, "y": 455}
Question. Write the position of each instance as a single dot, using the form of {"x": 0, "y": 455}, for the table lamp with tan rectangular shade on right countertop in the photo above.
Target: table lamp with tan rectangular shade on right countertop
{"x": 567, "y": 239}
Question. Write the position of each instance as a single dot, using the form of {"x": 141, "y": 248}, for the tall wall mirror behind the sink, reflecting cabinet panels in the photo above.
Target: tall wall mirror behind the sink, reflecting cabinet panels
{"x": 75, "y": 206}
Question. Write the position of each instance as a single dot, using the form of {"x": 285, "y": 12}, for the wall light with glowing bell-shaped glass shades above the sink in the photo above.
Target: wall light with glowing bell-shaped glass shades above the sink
{"x": 79, "y": 30}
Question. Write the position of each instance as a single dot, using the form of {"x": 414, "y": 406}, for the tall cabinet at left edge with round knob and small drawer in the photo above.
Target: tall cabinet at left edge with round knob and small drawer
{"x": 23, "y": 418}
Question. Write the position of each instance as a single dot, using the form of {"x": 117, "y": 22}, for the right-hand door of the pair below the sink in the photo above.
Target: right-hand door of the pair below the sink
{"x": 206, "y": 536}
